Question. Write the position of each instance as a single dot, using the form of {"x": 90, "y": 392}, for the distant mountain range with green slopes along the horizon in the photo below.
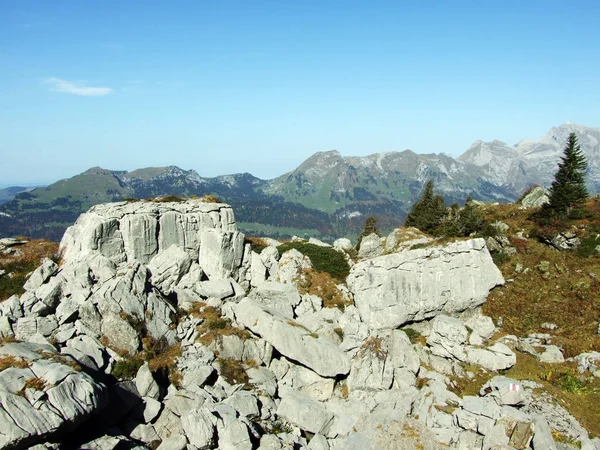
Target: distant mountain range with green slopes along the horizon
{"x": 328, "y": 195}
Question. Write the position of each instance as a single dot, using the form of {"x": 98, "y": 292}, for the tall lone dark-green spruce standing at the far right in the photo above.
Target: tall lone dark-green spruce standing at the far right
{"x": 568, "y": 191}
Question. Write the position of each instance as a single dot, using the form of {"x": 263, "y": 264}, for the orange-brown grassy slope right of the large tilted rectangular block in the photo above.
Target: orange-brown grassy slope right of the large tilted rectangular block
{"x": 567, "y": 295}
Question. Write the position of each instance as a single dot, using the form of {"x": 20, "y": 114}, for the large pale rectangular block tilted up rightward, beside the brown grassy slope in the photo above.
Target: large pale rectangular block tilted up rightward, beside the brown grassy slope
{"x": 392, "y": 290}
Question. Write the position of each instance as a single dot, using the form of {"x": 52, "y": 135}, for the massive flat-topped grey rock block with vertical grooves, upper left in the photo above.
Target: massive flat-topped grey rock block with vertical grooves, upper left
{"x": 138, "y": 231}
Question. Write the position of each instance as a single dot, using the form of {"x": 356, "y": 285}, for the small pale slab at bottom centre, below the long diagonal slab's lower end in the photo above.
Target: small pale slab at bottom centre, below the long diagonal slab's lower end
{"x": 304, "y": 412}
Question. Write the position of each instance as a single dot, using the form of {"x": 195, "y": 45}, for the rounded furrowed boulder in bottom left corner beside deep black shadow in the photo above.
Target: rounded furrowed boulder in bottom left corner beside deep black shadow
{"x": 42, "y": 394}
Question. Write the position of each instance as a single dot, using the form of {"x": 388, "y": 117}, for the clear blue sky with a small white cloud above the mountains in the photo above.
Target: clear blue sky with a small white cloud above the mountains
{"x": 258, "y": 86}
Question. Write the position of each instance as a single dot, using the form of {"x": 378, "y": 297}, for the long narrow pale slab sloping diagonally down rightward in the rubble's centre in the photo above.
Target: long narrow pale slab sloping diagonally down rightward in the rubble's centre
{"x": 292, "y": 340}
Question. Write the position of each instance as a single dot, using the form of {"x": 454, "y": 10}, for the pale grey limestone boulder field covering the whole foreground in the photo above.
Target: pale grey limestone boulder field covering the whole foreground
{"x": 163, "y": 327}
